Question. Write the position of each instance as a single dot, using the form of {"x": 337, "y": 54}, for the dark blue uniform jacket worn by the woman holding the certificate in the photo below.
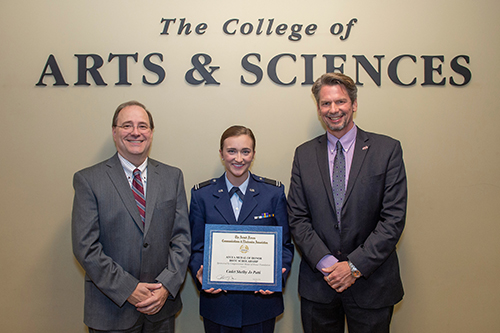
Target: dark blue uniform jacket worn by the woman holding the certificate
{"x": 210, "y": 204}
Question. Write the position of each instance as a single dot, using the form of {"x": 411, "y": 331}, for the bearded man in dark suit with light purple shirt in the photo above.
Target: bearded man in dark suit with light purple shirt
{"x": 347, "y": 210}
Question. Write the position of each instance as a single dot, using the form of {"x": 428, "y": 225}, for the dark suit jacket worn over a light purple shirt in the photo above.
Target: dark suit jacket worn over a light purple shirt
{"x": 373, "y": 217}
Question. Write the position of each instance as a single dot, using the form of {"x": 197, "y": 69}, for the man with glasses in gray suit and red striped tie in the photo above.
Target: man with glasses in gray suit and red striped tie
{"x": 130, "y": 232}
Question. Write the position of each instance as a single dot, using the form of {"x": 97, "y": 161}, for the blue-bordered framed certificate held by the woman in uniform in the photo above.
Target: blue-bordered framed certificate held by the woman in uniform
{"x": 241, "y": 257}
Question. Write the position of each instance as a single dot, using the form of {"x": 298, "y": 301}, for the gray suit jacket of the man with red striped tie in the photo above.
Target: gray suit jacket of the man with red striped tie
{"x": 116, "y": 252}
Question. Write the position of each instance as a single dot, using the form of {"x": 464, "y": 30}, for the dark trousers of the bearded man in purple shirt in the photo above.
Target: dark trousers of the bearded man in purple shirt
{"x": 330, "y": 318}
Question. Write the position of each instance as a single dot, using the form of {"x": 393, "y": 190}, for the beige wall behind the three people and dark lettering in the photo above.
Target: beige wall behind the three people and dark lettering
{"x": 449, "y": 251}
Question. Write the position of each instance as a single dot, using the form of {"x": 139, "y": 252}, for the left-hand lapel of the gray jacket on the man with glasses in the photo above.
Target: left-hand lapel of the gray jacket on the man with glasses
{"x": 117, "y": 175}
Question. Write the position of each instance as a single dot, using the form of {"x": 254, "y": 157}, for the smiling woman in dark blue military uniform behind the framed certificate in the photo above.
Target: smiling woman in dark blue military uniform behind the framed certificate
{"x": 238, "y": 197}
